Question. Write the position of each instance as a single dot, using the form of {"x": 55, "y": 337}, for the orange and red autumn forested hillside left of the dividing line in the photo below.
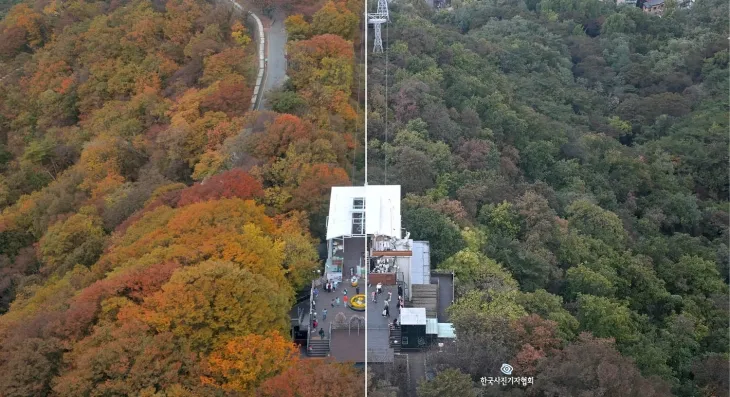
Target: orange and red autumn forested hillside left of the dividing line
{"x": 154, "y": 230}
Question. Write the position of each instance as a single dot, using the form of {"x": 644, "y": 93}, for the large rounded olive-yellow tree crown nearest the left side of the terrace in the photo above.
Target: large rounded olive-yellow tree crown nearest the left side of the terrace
{"x": 211, "y": 302}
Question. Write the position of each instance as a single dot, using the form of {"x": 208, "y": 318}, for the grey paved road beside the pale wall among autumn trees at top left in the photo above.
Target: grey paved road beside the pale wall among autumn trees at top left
{"x": 276, "y": 54}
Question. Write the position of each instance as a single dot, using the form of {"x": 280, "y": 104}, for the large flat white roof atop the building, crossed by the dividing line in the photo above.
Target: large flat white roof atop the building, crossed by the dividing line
{"x": 348, "y": 206}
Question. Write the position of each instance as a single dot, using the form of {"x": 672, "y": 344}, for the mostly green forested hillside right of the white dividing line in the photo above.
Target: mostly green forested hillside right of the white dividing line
{"x": 568, "y": 160}
